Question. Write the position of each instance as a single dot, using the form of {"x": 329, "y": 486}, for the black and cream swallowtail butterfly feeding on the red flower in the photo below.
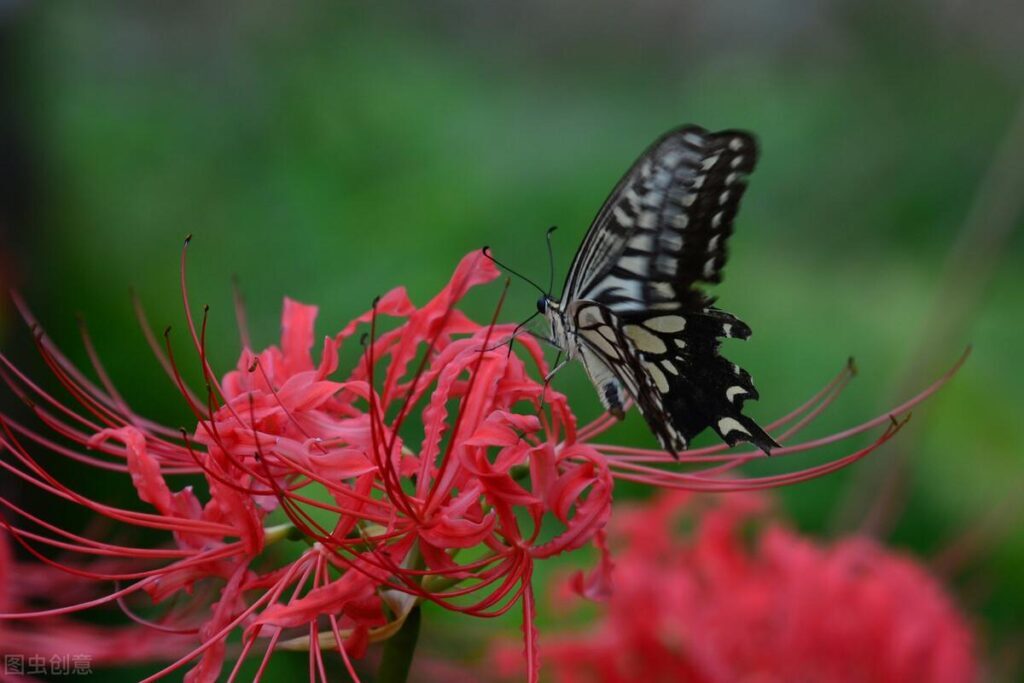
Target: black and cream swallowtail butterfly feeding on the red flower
{"x": 632, "y": 311}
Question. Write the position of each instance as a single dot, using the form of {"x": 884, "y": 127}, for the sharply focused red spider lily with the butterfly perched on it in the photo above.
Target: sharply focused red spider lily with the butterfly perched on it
{"x": 323, "y": 521}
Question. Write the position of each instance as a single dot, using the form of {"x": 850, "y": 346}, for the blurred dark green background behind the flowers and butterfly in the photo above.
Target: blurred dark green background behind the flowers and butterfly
{"x": 331, "y": 151}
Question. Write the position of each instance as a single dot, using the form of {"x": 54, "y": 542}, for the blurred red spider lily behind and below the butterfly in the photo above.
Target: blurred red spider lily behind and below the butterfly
{"x": 718, "y": 608}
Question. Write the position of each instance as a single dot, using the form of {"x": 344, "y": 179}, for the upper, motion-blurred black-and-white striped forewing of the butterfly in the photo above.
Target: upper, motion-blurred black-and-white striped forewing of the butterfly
{"x": 667, "y": 224}
